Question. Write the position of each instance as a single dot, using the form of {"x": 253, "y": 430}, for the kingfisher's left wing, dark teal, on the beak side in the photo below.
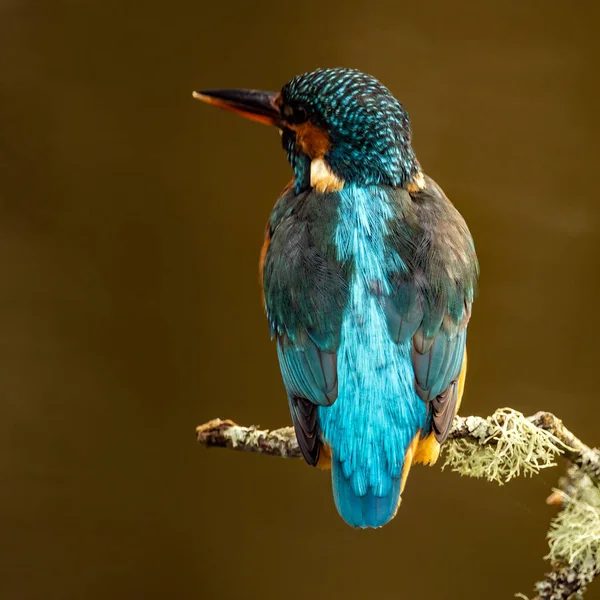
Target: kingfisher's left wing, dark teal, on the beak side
{"x": 305, "y": 294}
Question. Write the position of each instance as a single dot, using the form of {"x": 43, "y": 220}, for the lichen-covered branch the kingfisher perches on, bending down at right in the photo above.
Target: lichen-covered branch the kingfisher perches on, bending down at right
{"x": 498, "y": 448}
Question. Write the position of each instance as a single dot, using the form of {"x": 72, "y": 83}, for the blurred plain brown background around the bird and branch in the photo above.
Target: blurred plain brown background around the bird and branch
{"x": 131, "y": 219}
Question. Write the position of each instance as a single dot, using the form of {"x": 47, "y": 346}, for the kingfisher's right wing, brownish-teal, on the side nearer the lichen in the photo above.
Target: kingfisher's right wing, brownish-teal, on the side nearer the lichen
{"x": 431, "y": 298}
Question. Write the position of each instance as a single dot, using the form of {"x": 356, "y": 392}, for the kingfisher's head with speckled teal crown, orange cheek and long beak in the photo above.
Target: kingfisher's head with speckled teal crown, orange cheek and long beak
{"x": 337, "y": 126}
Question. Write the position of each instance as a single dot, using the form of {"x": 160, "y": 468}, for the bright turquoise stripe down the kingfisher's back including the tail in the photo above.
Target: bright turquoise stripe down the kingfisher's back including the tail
{"x": 377, "y": 412}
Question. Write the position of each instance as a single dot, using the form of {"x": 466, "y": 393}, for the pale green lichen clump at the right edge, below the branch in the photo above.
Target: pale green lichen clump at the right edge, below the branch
{"x": 574, "y": 535}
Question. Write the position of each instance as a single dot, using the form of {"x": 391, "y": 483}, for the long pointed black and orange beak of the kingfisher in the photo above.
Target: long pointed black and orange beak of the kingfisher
{"x": 252, "y": 104}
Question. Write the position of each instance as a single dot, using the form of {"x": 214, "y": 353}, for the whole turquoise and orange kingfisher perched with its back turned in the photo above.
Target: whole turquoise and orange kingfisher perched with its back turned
{"x": 369, "y": 274}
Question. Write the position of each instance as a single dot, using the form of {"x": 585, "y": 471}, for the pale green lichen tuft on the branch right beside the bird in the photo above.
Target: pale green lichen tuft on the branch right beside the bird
{"x": 502, "y": 447}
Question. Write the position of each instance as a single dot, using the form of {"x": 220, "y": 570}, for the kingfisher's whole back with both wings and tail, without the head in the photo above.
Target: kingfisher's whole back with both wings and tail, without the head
{"x": 368, "y": 297}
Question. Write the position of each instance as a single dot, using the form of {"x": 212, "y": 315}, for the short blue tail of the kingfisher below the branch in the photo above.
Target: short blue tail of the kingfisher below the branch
{"x": 368, "y": 510}
